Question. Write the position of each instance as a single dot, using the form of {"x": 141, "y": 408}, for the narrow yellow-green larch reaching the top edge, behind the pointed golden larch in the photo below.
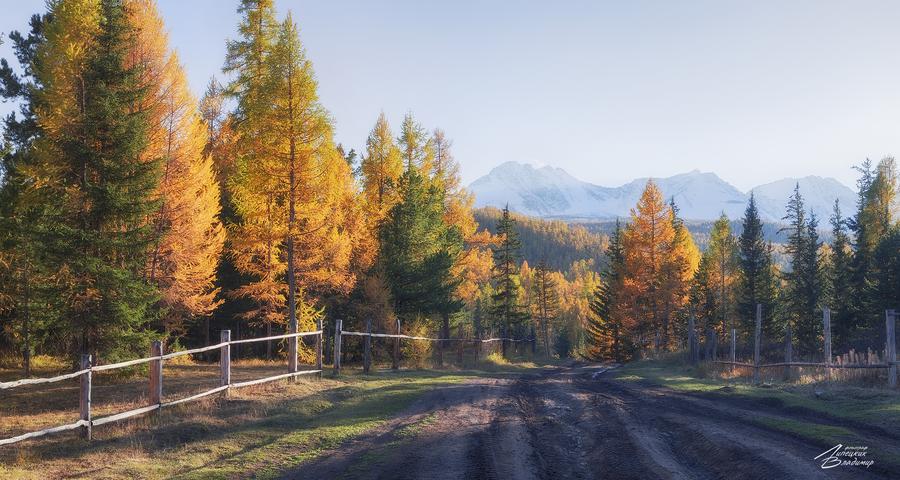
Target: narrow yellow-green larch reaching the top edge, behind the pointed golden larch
{"x": 257, "y": 231}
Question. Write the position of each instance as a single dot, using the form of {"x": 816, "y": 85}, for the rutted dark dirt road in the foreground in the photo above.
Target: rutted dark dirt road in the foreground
{"x": 579, "y": 423}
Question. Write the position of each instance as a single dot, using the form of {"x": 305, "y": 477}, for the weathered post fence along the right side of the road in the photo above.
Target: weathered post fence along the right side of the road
{"x": 890, "y": 351}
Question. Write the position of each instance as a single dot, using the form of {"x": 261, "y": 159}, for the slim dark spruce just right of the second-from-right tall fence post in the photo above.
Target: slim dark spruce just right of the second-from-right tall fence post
{"x": 839, "y": 284}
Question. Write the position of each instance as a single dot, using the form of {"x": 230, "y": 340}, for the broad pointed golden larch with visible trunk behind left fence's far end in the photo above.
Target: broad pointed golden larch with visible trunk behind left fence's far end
{"x": 293, "y": 193}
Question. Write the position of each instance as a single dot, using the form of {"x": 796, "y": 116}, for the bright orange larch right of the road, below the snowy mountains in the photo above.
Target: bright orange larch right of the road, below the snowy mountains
{"x": 647, "y": 240}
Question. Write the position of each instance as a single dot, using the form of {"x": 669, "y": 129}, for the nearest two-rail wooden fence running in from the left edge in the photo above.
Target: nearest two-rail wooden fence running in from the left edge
{"x": 85, "y": 423}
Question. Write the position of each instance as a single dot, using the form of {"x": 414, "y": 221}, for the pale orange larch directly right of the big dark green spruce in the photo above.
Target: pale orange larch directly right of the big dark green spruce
{"x": 183, "y": 262}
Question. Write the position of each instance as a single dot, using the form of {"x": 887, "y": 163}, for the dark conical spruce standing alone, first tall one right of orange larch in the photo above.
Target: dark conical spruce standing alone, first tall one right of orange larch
{"x": 756, "y": 280}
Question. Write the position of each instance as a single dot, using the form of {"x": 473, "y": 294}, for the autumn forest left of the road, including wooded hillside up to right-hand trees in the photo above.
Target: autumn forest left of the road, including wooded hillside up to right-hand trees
{"x": 131, "y": 211}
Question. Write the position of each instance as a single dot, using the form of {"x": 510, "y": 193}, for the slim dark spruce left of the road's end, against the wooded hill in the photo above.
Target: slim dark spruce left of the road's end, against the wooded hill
{"x": 507, "y": 309}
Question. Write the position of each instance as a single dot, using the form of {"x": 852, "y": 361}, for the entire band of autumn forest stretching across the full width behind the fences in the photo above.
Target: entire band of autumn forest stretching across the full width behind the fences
{"x": 131, "y": 211}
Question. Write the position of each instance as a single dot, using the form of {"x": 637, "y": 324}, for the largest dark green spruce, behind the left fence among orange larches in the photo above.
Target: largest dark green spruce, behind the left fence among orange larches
{"x": 103, "y": 234}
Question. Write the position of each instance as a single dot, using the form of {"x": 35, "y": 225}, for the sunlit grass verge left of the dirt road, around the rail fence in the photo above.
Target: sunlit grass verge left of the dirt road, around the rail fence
{"x": 262, "y": 429}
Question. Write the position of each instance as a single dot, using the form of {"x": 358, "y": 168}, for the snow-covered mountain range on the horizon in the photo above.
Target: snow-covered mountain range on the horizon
{"x": 552, "y": 192}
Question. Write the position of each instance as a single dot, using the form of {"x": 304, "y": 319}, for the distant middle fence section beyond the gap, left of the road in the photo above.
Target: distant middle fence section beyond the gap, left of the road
{"x": 442, "y": 342}
